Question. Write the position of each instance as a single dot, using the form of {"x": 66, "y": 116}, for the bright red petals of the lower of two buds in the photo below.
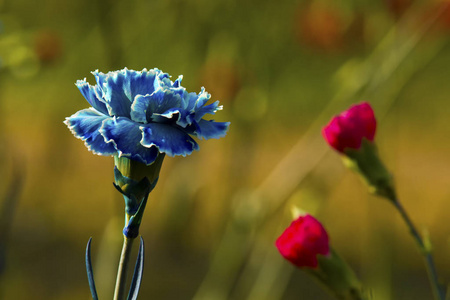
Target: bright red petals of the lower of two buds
{"x": 302, "y": 241}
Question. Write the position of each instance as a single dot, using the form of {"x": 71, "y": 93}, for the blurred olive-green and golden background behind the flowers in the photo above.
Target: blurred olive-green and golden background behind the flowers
{"x": 281, "y": 69}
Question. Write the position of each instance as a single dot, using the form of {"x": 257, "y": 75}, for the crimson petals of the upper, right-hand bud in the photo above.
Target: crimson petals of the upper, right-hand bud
{"x": 349, "y": 128}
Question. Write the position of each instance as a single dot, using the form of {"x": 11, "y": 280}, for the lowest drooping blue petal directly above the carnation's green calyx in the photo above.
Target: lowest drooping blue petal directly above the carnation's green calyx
{"x": 126, "y": 136}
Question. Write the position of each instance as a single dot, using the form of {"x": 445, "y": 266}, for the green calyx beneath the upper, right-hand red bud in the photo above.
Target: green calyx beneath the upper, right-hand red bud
{"x": 366, "y": 162}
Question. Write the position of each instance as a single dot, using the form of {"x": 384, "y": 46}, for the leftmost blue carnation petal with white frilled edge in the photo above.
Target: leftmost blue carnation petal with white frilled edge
{"x": 85, "y": 125}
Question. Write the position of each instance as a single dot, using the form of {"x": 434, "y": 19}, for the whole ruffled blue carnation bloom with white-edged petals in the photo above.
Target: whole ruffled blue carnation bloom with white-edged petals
{"x": 141, "y": 114}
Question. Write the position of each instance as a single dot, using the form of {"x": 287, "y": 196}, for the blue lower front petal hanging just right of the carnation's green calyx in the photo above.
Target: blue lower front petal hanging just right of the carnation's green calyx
{"x": 168, "y": 139}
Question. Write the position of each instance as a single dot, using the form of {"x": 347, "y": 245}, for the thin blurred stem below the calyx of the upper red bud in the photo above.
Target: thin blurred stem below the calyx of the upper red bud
{"x": 426, "y": 252}
